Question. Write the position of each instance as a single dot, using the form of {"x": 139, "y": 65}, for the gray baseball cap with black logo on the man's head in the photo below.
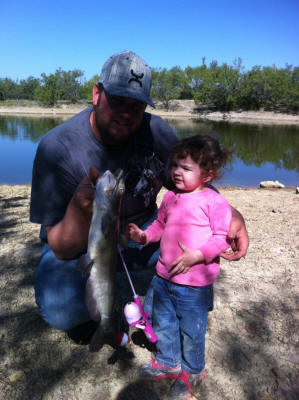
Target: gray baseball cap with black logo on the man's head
{"x": 126, "y": 74}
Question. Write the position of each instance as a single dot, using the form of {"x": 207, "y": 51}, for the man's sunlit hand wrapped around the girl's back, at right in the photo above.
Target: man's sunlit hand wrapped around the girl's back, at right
{"x": 239, "y": 237}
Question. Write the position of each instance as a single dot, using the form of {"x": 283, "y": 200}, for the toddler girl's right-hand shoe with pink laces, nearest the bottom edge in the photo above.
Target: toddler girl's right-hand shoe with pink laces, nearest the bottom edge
{"x": 185, "y": 384}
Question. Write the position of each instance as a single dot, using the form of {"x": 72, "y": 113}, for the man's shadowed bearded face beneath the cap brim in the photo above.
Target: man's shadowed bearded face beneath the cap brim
{"x": 115, "y": 118}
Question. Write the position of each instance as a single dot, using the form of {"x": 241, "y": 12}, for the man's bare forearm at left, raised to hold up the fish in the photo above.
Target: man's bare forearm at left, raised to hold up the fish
{"x": 69, "y": 237}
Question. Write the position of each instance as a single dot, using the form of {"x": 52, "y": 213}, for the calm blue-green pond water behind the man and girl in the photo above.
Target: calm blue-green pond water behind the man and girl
{"x": 260, "y": 152}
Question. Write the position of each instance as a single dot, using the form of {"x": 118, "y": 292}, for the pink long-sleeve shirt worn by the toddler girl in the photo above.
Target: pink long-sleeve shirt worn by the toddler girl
{"x": 199, "y": 220}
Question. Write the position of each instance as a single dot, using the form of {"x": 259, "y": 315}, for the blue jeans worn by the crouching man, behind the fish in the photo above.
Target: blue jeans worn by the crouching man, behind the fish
{"x": 60, "y": 287}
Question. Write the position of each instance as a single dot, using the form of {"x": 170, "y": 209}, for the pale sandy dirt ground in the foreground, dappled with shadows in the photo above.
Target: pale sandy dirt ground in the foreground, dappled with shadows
{"x": 252, "y": 336}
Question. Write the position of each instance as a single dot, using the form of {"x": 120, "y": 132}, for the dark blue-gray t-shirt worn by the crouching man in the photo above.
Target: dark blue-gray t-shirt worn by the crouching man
{"x": 66, "y": 153}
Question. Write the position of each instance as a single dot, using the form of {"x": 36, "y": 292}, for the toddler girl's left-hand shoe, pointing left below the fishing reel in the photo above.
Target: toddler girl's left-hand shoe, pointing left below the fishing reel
{"x": 157, "y": 371}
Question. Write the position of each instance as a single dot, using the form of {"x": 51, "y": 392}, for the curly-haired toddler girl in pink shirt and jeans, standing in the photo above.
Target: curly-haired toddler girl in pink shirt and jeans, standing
{"x": 192, "y": 225}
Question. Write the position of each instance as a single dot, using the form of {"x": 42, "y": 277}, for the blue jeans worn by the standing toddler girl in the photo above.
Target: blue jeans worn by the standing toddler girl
{"x": 180, "y": 316}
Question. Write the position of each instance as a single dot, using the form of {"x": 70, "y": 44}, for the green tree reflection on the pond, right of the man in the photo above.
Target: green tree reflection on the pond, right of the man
{"x": 252, "y": 144}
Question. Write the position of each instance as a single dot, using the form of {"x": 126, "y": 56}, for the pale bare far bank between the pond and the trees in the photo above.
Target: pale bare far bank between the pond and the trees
{"x": 185, "y": 109}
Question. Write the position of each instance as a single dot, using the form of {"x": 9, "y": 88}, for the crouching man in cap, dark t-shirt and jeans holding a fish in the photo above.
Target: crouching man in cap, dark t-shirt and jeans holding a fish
{"x": 115, "y": 133}
